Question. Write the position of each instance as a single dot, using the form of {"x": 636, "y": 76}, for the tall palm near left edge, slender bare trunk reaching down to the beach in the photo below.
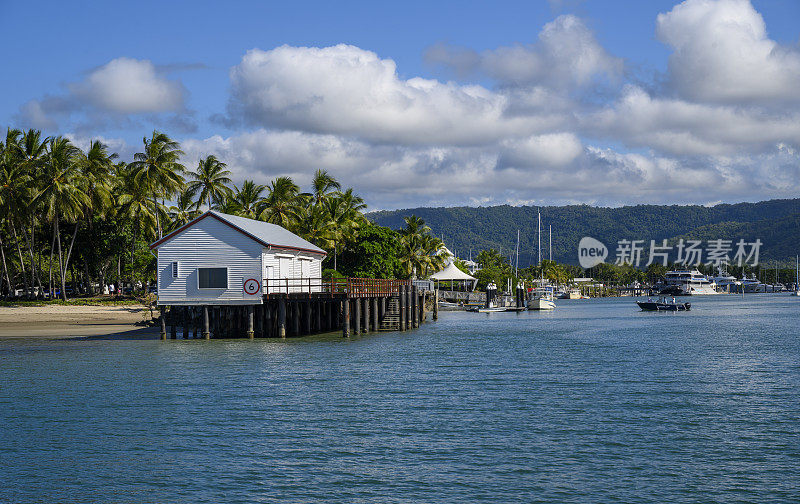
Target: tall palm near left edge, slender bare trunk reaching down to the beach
{"x": 62, "y": 195}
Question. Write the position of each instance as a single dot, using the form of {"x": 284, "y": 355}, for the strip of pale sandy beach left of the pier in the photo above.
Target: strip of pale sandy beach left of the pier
{"x": 57, "y": 321}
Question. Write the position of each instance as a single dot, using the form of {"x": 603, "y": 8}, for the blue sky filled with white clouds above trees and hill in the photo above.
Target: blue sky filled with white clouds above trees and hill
{"x": 423, "y": 103}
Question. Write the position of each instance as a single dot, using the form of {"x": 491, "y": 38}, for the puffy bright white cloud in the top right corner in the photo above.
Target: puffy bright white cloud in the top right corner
{"x": 722, "y": 54}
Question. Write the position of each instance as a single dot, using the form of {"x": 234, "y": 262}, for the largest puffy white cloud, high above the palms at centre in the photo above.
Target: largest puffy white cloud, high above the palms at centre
{"x": 349, "y": 91}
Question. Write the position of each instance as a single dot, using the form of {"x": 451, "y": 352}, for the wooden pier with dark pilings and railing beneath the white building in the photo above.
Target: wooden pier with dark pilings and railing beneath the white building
{"x": 353, "y": 306}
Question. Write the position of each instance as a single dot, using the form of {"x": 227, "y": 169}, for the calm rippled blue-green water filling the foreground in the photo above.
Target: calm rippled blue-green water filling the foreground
{"x": 596, "y": 402}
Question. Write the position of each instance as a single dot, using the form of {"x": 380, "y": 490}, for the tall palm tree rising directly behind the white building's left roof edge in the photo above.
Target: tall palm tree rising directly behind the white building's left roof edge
{"x": 159, "y": 170}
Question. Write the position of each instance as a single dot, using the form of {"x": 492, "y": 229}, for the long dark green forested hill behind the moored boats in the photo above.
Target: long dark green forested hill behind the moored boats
{"x": 775, "y": 222}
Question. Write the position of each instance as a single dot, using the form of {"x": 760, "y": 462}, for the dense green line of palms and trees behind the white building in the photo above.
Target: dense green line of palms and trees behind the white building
{"x": 74, "y": 220}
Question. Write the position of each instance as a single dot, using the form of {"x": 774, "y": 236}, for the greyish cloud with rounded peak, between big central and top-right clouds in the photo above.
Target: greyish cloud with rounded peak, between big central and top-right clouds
{"x": 566, "y": 54}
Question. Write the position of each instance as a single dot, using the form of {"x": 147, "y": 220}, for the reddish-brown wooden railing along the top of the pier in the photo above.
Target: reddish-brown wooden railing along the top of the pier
{"x": 349, "y": 287}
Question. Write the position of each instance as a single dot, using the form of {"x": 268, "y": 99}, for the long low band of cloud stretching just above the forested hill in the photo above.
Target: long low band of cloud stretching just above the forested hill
{"x": 402, "y": 176}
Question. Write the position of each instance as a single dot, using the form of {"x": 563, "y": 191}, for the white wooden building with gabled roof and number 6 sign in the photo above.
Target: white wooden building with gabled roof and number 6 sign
{"x": 220, "y": 259}
